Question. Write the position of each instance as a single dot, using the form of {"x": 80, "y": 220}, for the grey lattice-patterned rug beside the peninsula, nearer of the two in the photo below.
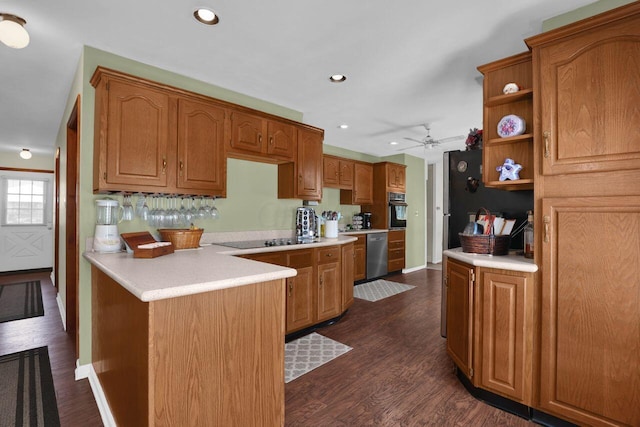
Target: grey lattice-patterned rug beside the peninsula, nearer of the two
{"x": 307, "y": 353}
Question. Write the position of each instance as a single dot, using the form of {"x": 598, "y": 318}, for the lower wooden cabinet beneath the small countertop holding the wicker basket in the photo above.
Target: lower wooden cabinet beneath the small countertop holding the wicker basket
{"x": 490, "y": 328}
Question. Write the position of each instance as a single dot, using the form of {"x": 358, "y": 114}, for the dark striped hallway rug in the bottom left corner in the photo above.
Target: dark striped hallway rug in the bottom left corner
{"x": 27, "y": 395}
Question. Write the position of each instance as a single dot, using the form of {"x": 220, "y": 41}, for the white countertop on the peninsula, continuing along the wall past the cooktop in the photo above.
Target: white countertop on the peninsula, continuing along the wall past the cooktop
{"x": 192, "y": 271}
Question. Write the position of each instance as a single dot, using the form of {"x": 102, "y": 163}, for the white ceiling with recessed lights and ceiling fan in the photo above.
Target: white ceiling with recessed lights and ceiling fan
{"x": 407, "y": 63}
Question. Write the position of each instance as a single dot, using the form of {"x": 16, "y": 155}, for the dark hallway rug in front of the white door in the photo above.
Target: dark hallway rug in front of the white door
{"x": 20, "y": 301}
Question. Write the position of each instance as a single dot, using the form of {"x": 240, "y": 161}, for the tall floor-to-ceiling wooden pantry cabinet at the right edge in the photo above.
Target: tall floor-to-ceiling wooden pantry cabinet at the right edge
{"x": 587, "y": 211}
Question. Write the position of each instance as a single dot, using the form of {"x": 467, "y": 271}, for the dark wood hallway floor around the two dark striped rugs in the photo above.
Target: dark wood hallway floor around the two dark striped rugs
{"x": 76, "y": 405}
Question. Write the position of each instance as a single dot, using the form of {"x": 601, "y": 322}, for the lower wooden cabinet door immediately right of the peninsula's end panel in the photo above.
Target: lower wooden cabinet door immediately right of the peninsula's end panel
{"x": 300, "y": 300}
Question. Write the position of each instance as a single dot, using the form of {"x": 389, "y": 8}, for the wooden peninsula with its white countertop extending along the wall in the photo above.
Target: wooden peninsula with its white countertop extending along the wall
{"x": 194, "y": 337}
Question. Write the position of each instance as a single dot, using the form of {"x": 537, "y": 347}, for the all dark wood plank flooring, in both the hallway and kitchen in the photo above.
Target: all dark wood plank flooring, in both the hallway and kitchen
{"x": 398, "y": 373}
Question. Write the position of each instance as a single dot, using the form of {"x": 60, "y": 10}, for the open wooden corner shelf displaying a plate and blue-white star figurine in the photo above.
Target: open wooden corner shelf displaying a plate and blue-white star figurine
{"x": 514, "y": 69}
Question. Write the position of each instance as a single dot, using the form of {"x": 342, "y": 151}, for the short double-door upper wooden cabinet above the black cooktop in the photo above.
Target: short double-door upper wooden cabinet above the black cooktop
{"x": 256, "y": 136}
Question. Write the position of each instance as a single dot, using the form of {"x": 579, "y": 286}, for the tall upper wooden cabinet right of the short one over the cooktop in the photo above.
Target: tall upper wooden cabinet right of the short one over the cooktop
{"x": 302, "y": 179}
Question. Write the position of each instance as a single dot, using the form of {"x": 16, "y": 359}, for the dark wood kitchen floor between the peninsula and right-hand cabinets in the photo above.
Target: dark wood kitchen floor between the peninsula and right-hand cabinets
{"x": 398, "y": 373}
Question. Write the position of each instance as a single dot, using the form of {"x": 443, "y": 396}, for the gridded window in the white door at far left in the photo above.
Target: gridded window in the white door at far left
{"x": 25, "y": 201}
